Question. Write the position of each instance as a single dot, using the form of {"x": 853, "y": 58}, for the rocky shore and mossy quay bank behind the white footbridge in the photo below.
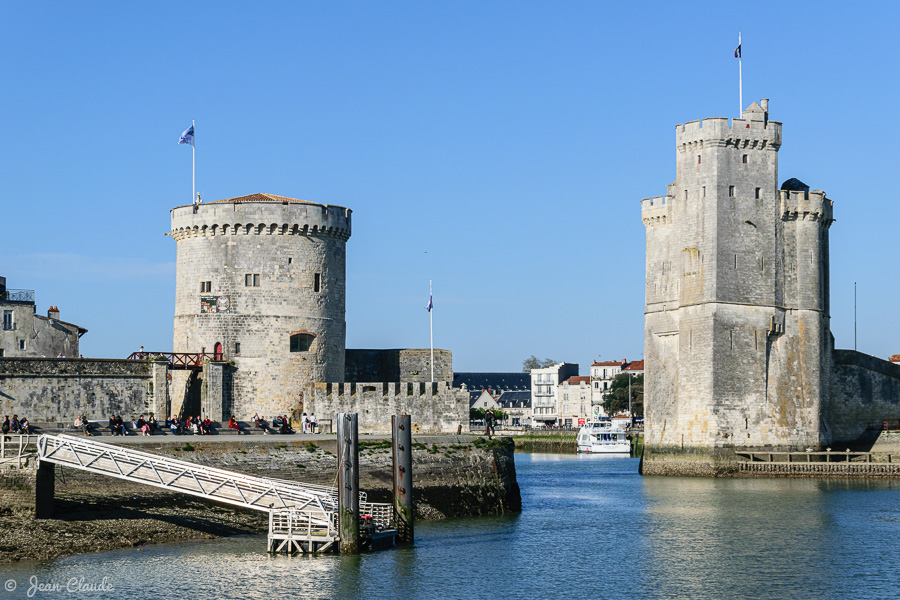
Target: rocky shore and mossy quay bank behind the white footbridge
{"x": 94, "y": 513}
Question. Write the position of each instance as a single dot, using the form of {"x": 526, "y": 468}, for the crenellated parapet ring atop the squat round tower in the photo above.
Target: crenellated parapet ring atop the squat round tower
{"x": 261, "y": 218}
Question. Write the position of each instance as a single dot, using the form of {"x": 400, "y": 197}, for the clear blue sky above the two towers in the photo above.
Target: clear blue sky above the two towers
{"x": 498, "y": 148}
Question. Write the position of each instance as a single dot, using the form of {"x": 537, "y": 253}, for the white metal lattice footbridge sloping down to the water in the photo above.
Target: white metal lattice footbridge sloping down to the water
{"x": 302, "y": 517}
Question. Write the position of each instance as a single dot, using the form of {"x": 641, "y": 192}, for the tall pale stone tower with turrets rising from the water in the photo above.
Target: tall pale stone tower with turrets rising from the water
{"x": 737, "y": 344}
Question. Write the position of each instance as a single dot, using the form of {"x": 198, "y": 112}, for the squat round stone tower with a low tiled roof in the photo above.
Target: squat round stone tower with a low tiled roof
{"x": 260, "y": 283}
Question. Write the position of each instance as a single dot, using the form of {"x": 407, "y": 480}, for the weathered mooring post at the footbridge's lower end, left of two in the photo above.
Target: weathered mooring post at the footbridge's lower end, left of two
{"x": 348, "y": 481}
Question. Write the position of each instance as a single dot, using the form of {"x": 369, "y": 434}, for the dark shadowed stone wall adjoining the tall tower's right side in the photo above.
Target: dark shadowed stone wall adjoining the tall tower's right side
{"x": 865, "y": 393}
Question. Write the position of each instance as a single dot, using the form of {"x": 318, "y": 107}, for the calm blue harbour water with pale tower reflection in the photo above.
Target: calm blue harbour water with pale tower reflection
{"x": 591, "y": 528}
